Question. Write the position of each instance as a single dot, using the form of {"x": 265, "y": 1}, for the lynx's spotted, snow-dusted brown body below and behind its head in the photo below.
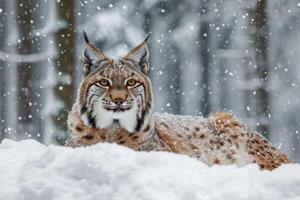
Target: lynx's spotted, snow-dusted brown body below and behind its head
{"x": 217, "y": 141}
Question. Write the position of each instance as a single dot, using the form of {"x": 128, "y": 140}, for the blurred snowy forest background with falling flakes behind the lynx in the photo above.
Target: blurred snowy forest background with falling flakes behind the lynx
{"x": 240, "y": 56}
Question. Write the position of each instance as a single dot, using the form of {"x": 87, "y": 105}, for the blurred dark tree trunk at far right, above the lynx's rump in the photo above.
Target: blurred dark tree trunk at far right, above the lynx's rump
{"x": 259, "y": 35}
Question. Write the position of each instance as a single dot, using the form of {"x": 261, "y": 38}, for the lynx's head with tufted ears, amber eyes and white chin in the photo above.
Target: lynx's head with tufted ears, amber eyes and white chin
{"x": 116, "y": 91}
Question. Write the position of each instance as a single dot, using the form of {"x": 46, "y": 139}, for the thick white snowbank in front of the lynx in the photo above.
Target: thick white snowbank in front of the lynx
{"x": 31, "y": 170}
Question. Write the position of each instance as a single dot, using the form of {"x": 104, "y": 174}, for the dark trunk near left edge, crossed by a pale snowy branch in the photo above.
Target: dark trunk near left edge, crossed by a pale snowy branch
{"x": 25, "y": 97}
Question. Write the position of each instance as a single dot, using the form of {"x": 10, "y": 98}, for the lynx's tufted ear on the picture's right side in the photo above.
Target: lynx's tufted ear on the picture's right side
{"x": 140, "y": 55}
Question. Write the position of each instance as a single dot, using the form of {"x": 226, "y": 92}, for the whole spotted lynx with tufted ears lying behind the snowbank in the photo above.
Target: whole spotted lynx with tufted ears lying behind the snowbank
{"x": 115, "y": 104}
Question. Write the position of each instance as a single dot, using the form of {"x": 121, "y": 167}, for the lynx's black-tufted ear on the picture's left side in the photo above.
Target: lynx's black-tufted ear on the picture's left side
{"x": 91, "y": 55}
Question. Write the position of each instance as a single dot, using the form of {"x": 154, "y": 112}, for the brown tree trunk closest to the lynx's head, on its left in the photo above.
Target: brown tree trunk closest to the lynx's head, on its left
{"x": 65, "y": 63}
